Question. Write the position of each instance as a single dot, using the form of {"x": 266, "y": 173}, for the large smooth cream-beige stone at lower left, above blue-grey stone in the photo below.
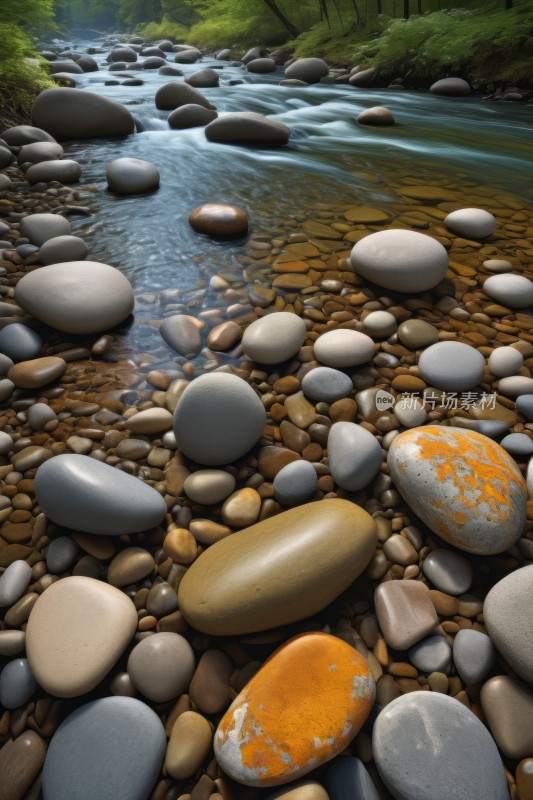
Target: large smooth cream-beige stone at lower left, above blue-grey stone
{"x": 74, "y": 615}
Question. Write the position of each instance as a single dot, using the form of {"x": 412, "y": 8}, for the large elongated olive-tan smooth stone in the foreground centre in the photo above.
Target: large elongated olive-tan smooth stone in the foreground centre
{"x": 250, "y": 582}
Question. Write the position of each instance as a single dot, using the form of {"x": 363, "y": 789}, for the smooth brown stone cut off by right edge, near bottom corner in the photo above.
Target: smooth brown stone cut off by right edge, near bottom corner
{"x": 508, "y": 706}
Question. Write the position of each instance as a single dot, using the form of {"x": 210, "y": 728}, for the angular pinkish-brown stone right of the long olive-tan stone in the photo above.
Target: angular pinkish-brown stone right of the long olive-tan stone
{"x": 405, "y": 612}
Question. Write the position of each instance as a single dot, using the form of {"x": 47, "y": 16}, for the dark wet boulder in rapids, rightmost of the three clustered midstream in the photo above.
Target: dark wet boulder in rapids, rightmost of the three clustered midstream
{"x": 247, "y": 127}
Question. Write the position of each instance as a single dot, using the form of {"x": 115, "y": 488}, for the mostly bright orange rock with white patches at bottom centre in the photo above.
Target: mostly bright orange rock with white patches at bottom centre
{"x": 300, "y": 710}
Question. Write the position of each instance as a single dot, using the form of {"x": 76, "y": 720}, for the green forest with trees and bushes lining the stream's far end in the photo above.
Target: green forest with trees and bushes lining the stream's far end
{"x": 485, "y": 41}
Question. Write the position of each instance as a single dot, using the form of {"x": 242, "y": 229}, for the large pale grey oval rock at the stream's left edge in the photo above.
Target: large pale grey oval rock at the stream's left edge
{"x": 76, "y": 296}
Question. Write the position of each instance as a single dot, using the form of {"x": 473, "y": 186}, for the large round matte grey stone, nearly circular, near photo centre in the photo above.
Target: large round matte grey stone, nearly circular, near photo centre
{"x": 218, "y": 419}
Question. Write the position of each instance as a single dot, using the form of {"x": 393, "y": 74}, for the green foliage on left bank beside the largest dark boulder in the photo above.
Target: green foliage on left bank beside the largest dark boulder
{"x": 22, "y": 76}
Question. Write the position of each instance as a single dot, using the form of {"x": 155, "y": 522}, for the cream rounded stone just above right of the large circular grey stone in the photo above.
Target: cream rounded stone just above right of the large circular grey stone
{"x": 274, "y": 338}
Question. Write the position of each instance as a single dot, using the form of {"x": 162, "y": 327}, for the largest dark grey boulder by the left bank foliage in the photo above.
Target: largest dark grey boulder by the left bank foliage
{"x": 77, "y": 114}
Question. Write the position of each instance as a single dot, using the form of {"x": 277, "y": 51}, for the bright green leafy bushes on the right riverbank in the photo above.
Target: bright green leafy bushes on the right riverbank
{"x": 481, "y": 46}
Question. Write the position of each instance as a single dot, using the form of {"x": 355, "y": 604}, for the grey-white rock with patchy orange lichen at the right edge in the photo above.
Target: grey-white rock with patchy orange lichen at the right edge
{"x": 463, "y": 485}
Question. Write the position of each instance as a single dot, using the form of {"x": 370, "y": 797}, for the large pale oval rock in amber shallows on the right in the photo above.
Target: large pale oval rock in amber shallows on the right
{"x": 404, "y": 261}
